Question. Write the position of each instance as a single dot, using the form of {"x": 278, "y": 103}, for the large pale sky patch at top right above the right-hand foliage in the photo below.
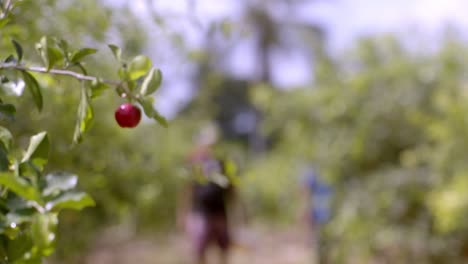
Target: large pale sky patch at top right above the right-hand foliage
{"x": 350, "y": 18}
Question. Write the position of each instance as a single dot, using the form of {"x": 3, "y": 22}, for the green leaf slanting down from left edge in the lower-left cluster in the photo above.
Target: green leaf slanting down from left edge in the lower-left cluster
{"x": 19, "y": 186}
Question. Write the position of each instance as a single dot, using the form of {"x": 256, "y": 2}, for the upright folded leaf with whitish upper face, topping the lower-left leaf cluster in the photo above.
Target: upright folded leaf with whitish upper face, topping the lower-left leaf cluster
{"x": 38, "y": 150}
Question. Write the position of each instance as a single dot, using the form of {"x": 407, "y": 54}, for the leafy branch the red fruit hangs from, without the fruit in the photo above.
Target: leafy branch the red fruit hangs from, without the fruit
{"x": 138, "y": 78}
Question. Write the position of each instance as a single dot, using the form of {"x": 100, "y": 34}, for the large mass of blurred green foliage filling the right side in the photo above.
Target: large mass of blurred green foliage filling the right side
{"x": 387, "y": 128}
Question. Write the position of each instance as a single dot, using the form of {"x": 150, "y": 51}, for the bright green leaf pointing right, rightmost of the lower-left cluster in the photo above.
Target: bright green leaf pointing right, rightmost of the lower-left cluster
{"x": 70, "y": 200}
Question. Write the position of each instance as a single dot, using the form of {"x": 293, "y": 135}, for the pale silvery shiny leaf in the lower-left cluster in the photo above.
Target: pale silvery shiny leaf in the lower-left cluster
{"x": 58, "y": 182}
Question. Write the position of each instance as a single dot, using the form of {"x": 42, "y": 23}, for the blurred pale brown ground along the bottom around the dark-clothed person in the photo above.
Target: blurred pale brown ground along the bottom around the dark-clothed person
{"x": 252, "y": 247}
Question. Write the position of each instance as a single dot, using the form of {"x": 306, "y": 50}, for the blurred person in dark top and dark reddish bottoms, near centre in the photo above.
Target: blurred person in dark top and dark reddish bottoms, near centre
{"x": 205, "y": 210}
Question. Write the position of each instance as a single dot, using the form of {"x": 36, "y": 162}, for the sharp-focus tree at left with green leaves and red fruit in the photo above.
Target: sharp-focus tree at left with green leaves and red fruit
{"x": 30, "y": 196}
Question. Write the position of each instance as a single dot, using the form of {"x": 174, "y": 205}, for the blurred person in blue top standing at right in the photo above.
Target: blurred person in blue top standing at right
{"x": 317, "y": 196}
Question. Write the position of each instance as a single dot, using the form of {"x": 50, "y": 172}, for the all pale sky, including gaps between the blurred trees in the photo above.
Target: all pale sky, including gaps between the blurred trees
{"x": 343, "y": 20}
